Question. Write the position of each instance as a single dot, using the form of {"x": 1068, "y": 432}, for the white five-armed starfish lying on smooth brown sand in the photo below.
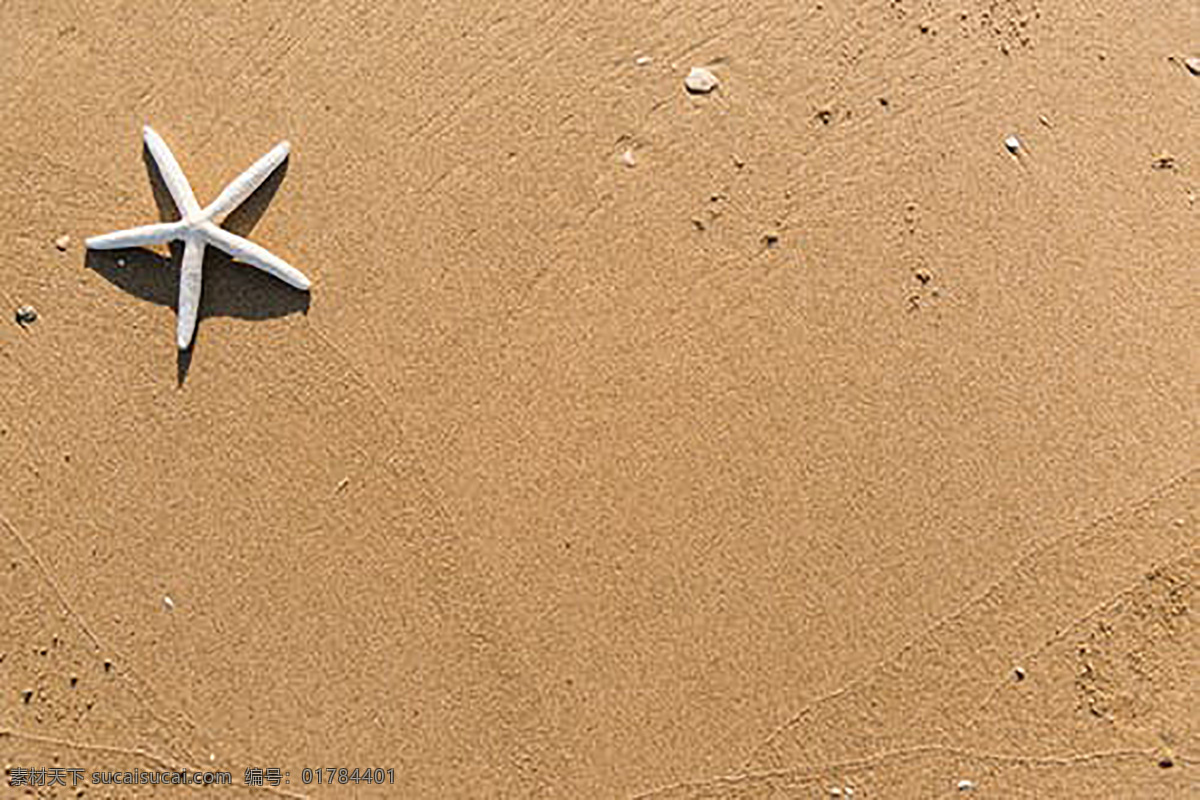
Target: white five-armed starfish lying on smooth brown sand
{"x": 200, "y": 227}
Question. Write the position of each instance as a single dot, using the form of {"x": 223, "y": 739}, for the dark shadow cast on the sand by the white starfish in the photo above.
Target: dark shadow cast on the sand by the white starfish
{"x": 230, "y": 290}
